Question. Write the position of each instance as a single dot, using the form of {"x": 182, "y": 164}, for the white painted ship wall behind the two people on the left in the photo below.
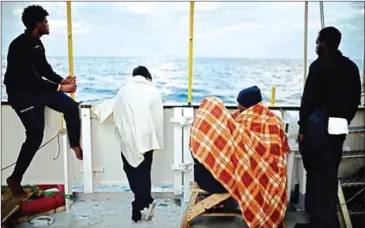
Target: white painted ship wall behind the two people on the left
{"x": 105, "y": 154}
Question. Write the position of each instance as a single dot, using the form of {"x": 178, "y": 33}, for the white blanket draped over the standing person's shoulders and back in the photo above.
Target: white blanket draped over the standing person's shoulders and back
{"x": 138, "y": 119}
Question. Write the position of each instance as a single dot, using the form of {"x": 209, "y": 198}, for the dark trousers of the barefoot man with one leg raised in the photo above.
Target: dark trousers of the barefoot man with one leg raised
{"x": 30, "y": 109}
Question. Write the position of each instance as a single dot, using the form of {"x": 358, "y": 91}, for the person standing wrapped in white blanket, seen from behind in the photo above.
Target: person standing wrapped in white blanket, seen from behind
{"x": 138, "y": 119}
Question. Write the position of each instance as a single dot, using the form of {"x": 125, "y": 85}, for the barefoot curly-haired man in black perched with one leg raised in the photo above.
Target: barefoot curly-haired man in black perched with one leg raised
{"x": 28, "y": 93}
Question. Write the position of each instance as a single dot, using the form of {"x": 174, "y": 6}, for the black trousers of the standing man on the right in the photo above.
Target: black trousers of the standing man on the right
{"x": 321, "y": 155}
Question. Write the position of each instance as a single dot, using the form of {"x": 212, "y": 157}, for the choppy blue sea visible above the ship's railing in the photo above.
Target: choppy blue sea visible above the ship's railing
{"x": 99, "y": 78}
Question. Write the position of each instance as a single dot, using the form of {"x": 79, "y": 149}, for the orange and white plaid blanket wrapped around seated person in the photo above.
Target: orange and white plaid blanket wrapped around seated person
{"x": 246, "y": 153}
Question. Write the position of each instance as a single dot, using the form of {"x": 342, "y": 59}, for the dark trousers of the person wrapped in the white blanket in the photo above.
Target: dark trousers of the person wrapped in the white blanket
{"x": 139, "y": 179}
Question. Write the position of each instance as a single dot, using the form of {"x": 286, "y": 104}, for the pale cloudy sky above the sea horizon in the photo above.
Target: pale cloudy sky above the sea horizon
{"x": 161, "y": 29}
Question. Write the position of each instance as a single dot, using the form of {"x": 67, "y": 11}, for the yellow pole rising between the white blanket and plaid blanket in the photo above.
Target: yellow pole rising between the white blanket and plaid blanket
{"x": 190, "y": 67}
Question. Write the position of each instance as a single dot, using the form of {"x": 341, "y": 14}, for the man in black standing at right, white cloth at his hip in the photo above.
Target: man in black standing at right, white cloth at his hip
{"x": 329, "y": 103}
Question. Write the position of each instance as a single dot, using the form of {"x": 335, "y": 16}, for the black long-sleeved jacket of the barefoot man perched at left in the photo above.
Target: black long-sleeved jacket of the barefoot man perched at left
{"x": 26, "y": 65}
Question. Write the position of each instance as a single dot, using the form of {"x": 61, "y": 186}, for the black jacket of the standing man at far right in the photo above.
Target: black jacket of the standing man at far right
{"x": 333, "y": 84}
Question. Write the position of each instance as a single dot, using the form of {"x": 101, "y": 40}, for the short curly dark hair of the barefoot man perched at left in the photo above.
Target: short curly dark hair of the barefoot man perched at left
{"x": 32, "y": 15}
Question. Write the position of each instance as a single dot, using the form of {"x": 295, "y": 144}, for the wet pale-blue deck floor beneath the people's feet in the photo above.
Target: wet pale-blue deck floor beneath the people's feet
{"x": 110, "y": 212}
